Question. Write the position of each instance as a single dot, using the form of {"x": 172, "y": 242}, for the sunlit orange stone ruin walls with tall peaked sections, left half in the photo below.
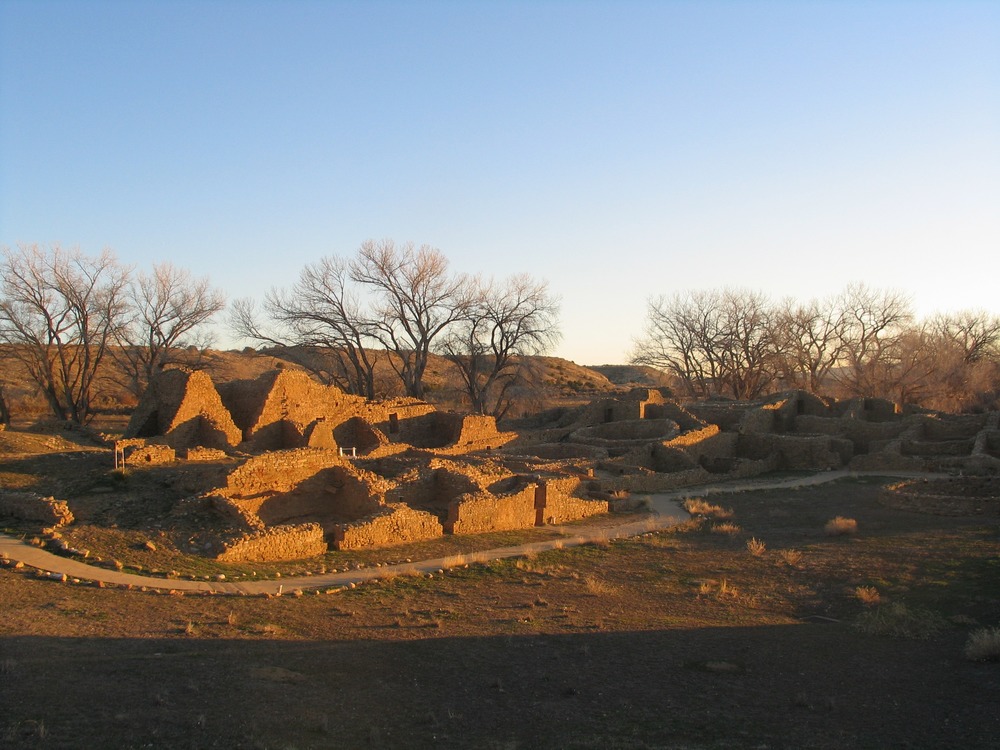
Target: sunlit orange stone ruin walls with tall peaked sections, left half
{"x": 313, "y": 466}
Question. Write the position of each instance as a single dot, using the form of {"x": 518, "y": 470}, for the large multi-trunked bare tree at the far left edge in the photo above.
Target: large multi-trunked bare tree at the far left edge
{"x": 59, "y": 313}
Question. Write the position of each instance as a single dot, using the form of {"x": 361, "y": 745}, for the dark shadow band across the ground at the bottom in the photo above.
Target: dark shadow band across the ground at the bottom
{"x": 802, "y": 686}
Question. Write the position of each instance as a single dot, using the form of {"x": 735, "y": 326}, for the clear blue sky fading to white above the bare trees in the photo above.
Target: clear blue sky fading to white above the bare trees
{"x": 617, "y": 149}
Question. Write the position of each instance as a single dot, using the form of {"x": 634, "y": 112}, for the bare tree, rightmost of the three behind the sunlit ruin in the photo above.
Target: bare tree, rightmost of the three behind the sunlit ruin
{"x": 504, "y": 323}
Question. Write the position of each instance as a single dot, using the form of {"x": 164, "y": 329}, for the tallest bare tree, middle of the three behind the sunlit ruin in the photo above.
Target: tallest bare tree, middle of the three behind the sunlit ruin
{"x": 415, "y": 299}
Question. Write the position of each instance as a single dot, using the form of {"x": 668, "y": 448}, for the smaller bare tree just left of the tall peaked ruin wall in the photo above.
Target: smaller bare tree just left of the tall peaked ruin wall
{"x": 166, "y": 307}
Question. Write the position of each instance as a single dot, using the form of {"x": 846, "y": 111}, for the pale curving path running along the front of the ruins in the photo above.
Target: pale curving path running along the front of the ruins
{"x": 667, "y": 513}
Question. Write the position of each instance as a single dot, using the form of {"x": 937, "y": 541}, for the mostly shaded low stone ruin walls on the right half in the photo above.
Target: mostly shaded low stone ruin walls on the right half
{"x": 645, "y": 442}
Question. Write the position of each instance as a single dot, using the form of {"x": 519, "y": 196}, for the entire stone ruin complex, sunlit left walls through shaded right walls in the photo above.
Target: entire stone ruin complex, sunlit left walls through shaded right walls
{"x": 313, "y": 466}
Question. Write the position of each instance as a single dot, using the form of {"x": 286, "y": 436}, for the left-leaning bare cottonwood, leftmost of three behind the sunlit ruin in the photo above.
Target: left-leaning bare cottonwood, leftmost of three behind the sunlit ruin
{"x": 322, "y": 313}
